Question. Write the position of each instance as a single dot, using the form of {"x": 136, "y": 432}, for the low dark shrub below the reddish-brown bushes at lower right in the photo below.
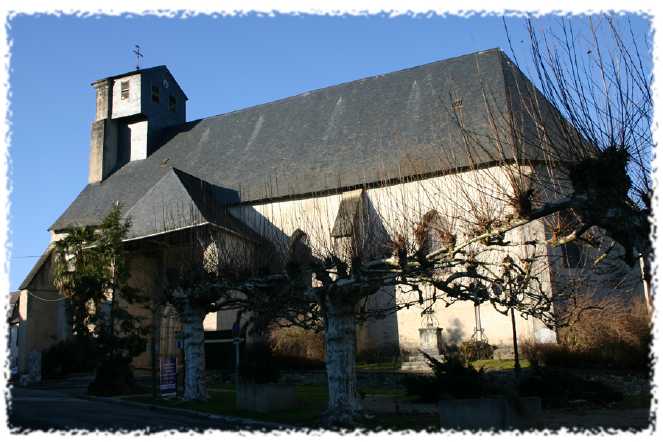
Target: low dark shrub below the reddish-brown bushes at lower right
{"x": 557, "y": 387}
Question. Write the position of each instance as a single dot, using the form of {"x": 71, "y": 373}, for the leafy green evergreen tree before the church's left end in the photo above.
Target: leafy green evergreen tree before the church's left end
{"x": 90, "y": 265}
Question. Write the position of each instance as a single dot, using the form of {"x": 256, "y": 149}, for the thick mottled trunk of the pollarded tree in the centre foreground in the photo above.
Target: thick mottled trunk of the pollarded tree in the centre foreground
{"x": 340, "y": 338}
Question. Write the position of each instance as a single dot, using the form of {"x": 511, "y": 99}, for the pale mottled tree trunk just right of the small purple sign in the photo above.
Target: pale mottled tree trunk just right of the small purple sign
{"x": 194, "y": 353}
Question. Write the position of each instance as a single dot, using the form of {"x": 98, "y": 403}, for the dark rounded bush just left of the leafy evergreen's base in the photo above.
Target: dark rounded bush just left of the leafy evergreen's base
{"x": 74, "y": 355}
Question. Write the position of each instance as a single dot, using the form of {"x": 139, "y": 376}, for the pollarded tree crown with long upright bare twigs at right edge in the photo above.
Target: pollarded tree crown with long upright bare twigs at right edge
{"x": 590, "y": 120}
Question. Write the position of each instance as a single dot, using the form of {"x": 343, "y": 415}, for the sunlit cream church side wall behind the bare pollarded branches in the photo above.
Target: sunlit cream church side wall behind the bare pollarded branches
{"x": 395, "y": 210}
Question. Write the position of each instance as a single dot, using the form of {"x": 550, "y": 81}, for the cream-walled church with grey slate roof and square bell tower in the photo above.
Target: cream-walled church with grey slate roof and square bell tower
{"x": 377, "y": 147}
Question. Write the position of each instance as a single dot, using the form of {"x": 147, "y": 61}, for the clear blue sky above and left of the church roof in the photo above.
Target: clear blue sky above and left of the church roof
{"x": 222, "y": 64}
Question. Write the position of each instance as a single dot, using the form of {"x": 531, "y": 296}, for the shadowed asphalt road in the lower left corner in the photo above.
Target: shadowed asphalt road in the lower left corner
{"x": 48, "y": 409}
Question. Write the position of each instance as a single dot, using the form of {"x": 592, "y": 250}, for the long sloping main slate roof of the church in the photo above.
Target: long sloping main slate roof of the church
{"x": 365, "y": 131}
